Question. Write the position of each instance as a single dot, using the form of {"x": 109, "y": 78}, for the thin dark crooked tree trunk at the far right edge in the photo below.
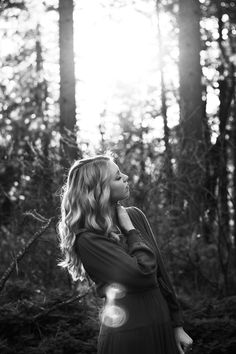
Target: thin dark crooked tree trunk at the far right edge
{"x": 227, "y": 88}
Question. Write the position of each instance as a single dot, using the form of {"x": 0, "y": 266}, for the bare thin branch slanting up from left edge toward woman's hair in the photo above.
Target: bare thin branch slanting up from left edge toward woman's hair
{"x": 22, "y": 252}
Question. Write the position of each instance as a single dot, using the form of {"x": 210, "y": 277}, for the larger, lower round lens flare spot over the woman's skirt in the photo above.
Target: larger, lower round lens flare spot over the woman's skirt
{"x": 113, "y": 316}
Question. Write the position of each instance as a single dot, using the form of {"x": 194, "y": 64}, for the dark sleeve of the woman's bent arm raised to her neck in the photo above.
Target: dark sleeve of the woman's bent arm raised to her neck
{"x": 107, "y": 262}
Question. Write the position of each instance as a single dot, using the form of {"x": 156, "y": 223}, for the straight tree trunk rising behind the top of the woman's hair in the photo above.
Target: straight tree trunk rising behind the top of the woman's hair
{"x": 67, "y": 81}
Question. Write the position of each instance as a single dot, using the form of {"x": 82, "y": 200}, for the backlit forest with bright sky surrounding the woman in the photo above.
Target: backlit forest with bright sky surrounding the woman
{"x": 153, "y": 83}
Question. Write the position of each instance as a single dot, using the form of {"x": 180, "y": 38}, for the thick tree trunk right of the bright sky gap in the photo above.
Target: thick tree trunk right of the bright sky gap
{"x": 191, "y": 154}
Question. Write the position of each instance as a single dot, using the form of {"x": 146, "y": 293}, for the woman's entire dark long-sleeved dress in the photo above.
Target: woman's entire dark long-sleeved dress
{"x": 140, "y": 317}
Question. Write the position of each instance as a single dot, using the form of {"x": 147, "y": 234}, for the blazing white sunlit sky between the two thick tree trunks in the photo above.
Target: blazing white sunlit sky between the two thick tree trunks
{"x": 117, "y": 63}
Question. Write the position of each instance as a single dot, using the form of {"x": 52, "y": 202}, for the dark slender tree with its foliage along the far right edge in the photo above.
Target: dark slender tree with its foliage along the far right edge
{"x": 219, "y": 154}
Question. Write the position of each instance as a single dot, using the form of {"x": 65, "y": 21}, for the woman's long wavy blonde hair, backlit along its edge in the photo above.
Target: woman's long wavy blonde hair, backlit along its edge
{"x": 85, "y": 205}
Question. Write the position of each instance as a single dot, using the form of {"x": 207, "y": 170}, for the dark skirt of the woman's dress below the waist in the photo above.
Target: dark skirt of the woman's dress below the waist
{"x": 147, "y": 329}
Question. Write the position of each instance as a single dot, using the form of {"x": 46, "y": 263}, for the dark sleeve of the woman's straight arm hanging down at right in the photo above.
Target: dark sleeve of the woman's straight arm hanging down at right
{"x": 162, "y": 275}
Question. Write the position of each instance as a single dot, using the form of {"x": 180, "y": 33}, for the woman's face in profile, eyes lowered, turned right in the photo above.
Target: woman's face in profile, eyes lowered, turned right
{"x": 118, "y": 183}
